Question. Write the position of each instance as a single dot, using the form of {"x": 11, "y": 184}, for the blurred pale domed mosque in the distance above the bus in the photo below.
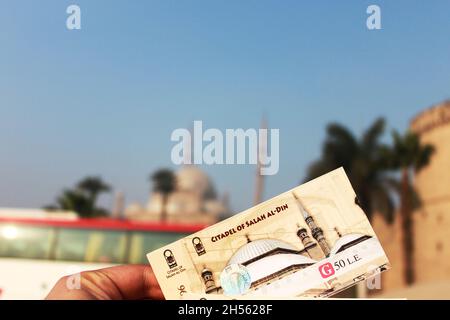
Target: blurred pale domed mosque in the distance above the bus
{"x": 193, "y": 201}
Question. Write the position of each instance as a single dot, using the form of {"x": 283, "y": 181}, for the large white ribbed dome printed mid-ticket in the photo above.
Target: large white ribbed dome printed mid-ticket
{"x": 257, "y": 248}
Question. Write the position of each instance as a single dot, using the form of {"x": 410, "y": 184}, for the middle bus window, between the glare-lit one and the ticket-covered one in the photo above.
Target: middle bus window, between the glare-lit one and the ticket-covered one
{"x": 91, "y": 245}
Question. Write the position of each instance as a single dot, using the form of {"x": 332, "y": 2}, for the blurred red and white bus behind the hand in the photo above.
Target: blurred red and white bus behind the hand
{"x": 36, "y": 252}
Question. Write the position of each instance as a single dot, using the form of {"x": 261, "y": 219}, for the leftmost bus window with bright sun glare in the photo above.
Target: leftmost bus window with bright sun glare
{"x": 17, "y": 241}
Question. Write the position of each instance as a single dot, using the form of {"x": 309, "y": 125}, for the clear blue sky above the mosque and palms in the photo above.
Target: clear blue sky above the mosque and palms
{"x": 104, "y": 100}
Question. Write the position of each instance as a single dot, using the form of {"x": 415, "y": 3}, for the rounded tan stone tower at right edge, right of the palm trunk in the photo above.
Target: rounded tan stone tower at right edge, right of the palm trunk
{"x": 432, "y": 220}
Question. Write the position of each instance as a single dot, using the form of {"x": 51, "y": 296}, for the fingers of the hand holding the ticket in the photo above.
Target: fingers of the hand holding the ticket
{"x": 116, "y": 283}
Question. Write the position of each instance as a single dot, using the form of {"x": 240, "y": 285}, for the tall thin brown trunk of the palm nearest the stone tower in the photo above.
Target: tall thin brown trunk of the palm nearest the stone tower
{"x": 407, "y": 228}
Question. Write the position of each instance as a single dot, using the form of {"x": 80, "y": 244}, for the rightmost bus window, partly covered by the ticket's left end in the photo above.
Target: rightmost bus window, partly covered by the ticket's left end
{"x": 144, "y": 242}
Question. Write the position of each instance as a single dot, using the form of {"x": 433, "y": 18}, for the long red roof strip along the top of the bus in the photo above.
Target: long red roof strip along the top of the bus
{"x": 104, "y": 223}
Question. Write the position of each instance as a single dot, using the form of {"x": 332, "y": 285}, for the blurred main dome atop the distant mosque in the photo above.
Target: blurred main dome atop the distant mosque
{"x": 192, "y": 179}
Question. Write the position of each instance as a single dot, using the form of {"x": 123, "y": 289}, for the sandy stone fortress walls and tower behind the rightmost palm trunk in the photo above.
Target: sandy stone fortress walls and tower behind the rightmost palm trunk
{"x": 431, "y": 221}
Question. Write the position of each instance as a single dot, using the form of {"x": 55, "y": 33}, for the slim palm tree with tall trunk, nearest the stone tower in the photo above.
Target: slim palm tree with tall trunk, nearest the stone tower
{"x": 408, "y": 155}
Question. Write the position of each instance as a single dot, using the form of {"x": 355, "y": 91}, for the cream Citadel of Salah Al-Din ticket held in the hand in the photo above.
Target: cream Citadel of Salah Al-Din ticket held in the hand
{"x": 309, "y": 242}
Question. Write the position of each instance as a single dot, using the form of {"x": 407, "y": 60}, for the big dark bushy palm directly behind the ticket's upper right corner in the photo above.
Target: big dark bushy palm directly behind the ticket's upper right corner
{"x": 361, "y": 159}
